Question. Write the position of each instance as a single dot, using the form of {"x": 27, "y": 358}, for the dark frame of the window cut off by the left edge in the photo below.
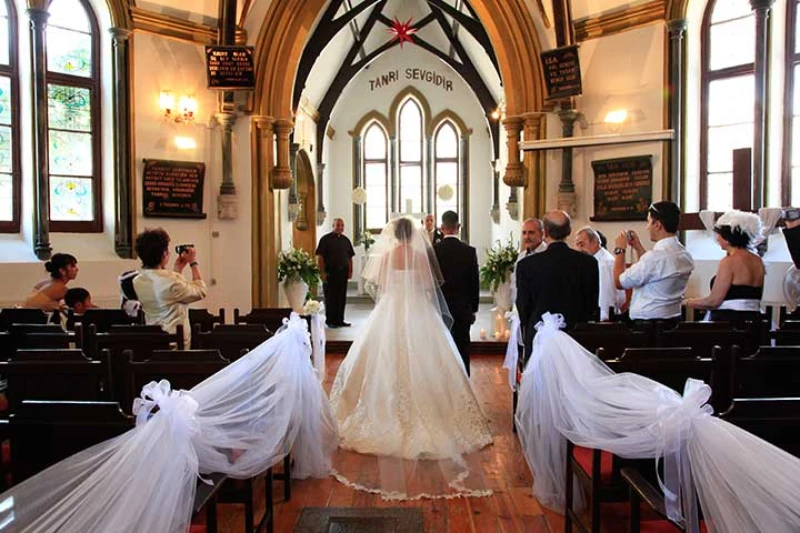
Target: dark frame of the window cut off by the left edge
{"x": 12, "y": 72}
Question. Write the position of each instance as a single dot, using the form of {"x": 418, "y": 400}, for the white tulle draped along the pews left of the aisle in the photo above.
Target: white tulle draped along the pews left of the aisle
{"x": 239, "y": 422}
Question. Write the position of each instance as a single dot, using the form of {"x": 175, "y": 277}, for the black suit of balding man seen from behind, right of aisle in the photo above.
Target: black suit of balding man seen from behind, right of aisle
{"x": 558, "y": 280}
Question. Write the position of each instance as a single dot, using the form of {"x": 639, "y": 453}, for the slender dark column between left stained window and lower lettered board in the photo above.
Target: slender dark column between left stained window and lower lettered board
{"x": 122, "y": 149}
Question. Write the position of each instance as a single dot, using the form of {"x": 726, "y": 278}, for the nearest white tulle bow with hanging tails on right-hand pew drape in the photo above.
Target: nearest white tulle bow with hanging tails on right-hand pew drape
{"x": 674, "y": 428}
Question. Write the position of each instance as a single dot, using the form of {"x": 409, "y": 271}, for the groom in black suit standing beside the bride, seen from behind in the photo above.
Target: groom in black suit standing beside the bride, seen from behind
{"x": 459, "y": 264}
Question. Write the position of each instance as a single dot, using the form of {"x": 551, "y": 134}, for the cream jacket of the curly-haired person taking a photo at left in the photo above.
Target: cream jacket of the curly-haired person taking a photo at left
{"x": 164, "y": 295}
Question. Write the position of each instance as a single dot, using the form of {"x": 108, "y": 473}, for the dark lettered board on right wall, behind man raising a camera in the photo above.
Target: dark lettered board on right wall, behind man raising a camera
{"x": 623, "y": 188}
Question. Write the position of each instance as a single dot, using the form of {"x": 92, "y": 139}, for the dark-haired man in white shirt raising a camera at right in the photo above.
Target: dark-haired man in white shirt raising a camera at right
{"x": 659, "y": 278}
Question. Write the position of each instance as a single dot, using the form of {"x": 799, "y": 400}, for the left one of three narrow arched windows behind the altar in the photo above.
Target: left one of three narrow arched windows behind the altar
{"x": 376, "y": 177}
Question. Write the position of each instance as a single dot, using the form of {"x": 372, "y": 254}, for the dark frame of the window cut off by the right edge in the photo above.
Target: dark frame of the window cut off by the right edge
{"x": 791, "y": 60}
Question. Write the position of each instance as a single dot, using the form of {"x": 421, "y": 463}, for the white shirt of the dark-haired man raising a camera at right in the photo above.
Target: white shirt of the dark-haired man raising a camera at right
{"x": 659, "y": 280}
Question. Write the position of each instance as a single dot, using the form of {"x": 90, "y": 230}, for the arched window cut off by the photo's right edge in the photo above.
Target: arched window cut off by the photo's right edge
{"x": 791, "y": 126}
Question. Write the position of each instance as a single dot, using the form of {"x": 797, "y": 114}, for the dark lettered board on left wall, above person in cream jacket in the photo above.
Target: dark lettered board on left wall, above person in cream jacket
{"x": 173, "y": 189}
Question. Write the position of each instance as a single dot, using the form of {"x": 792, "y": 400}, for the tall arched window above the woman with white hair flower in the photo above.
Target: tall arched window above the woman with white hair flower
{"x": 728, "y": 96}
